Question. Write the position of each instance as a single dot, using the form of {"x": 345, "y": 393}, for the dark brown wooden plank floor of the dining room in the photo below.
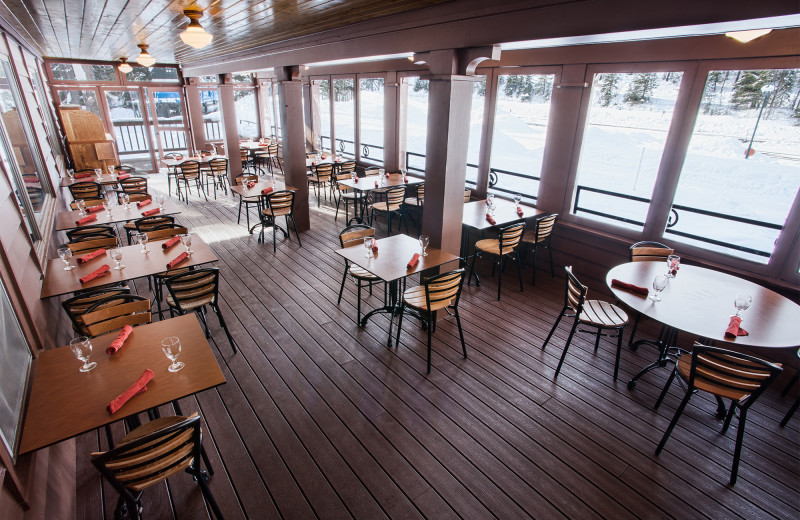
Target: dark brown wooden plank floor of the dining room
{"x": 319, "y": 418}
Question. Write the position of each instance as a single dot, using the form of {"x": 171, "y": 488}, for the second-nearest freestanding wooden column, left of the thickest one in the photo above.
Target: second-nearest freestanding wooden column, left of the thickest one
{"x": 290, "y": 90}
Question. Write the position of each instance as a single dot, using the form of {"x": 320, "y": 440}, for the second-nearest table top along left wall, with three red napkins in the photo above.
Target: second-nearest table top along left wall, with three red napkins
{"x": 57, "y": 281}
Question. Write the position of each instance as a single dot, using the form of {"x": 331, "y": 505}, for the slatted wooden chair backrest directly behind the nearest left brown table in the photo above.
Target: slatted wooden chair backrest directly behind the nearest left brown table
{"x": 114, "y": 312}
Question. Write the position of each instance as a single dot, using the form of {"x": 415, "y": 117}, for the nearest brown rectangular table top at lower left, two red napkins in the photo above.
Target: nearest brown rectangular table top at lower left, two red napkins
{"x": 65, "y": 402}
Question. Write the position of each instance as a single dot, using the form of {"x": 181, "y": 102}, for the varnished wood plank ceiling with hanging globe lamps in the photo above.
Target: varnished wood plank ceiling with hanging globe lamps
{"x": 108, "y": 29}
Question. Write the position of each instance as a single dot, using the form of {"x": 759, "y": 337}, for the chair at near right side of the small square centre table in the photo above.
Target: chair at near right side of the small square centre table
{"x": 439, "y": 292}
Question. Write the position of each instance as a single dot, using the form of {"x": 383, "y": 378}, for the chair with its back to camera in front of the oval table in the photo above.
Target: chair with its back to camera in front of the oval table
{"x": 724, "y": 374}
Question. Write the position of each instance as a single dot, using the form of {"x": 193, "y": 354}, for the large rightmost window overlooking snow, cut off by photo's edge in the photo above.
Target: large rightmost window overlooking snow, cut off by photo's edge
{"x": 741, "y": 173}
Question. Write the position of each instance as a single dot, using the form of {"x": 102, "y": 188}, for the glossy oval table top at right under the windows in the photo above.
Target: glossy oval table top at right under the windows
{"x": 700, "y": 301}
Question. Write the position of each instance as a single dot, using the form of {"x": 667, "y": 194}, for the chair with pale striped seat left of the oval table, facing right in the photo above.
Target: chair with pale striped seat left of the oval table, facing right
{"x": 593, "y": 313}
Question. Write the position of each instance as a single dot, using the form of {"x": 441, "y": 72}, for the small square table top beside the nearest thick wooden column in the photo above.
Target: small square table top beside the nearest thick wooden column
{"x": 394, "y": 252}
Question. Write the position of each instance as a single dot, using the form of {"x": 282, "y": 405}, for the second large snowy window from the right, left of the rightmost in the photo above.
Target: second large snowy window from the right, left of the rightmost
{"x": 627, "y": 124}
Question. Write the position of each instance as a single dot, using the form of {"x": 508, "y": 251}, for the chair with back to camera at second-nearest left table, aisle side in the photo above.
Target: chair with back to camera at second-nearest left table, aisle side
{"x": 192, "y": 291}
